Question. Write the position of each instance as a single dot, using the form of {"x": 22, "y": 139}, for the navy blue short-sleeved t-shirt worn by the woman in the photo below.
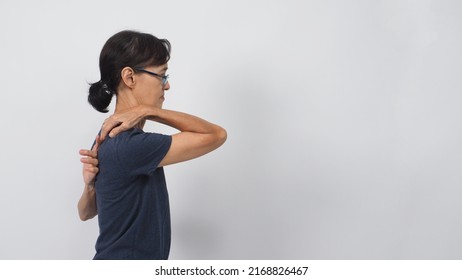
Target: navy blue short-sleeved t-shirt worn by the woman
{"x": 132, "y": 197}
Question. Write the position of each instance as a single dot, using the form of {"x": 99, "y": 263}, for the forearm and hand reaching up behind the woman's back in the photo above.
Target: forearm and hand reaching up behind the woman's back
{"x": 87, "y": 203}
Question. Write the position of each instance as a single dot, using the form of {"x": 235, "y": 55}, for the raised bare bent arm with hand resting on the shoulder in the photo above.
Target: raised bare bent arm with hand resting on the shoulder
{"x": 197, "y": 137}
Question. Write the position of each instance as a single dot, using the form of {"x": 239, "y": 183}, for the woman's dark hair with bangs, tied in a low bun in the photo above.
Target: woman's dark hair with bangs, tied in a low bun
{"x": 126, "y": 48}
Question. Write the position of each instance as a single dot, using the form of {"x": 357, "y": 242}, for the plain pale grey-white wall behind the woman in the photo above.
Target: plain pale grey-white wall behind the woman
{"x": 343, "y": 120}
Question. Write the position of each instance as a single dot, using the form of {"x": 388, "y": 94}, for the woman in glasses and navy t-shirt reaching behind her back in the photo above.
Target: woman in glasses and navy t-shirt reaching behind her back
{"x": 123, "y": 172}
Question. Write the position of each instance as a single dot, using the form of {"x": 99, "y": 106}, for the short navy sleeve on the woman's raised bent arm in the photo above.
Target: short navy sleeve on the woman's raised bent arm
{"x": 141, "y": 152}
